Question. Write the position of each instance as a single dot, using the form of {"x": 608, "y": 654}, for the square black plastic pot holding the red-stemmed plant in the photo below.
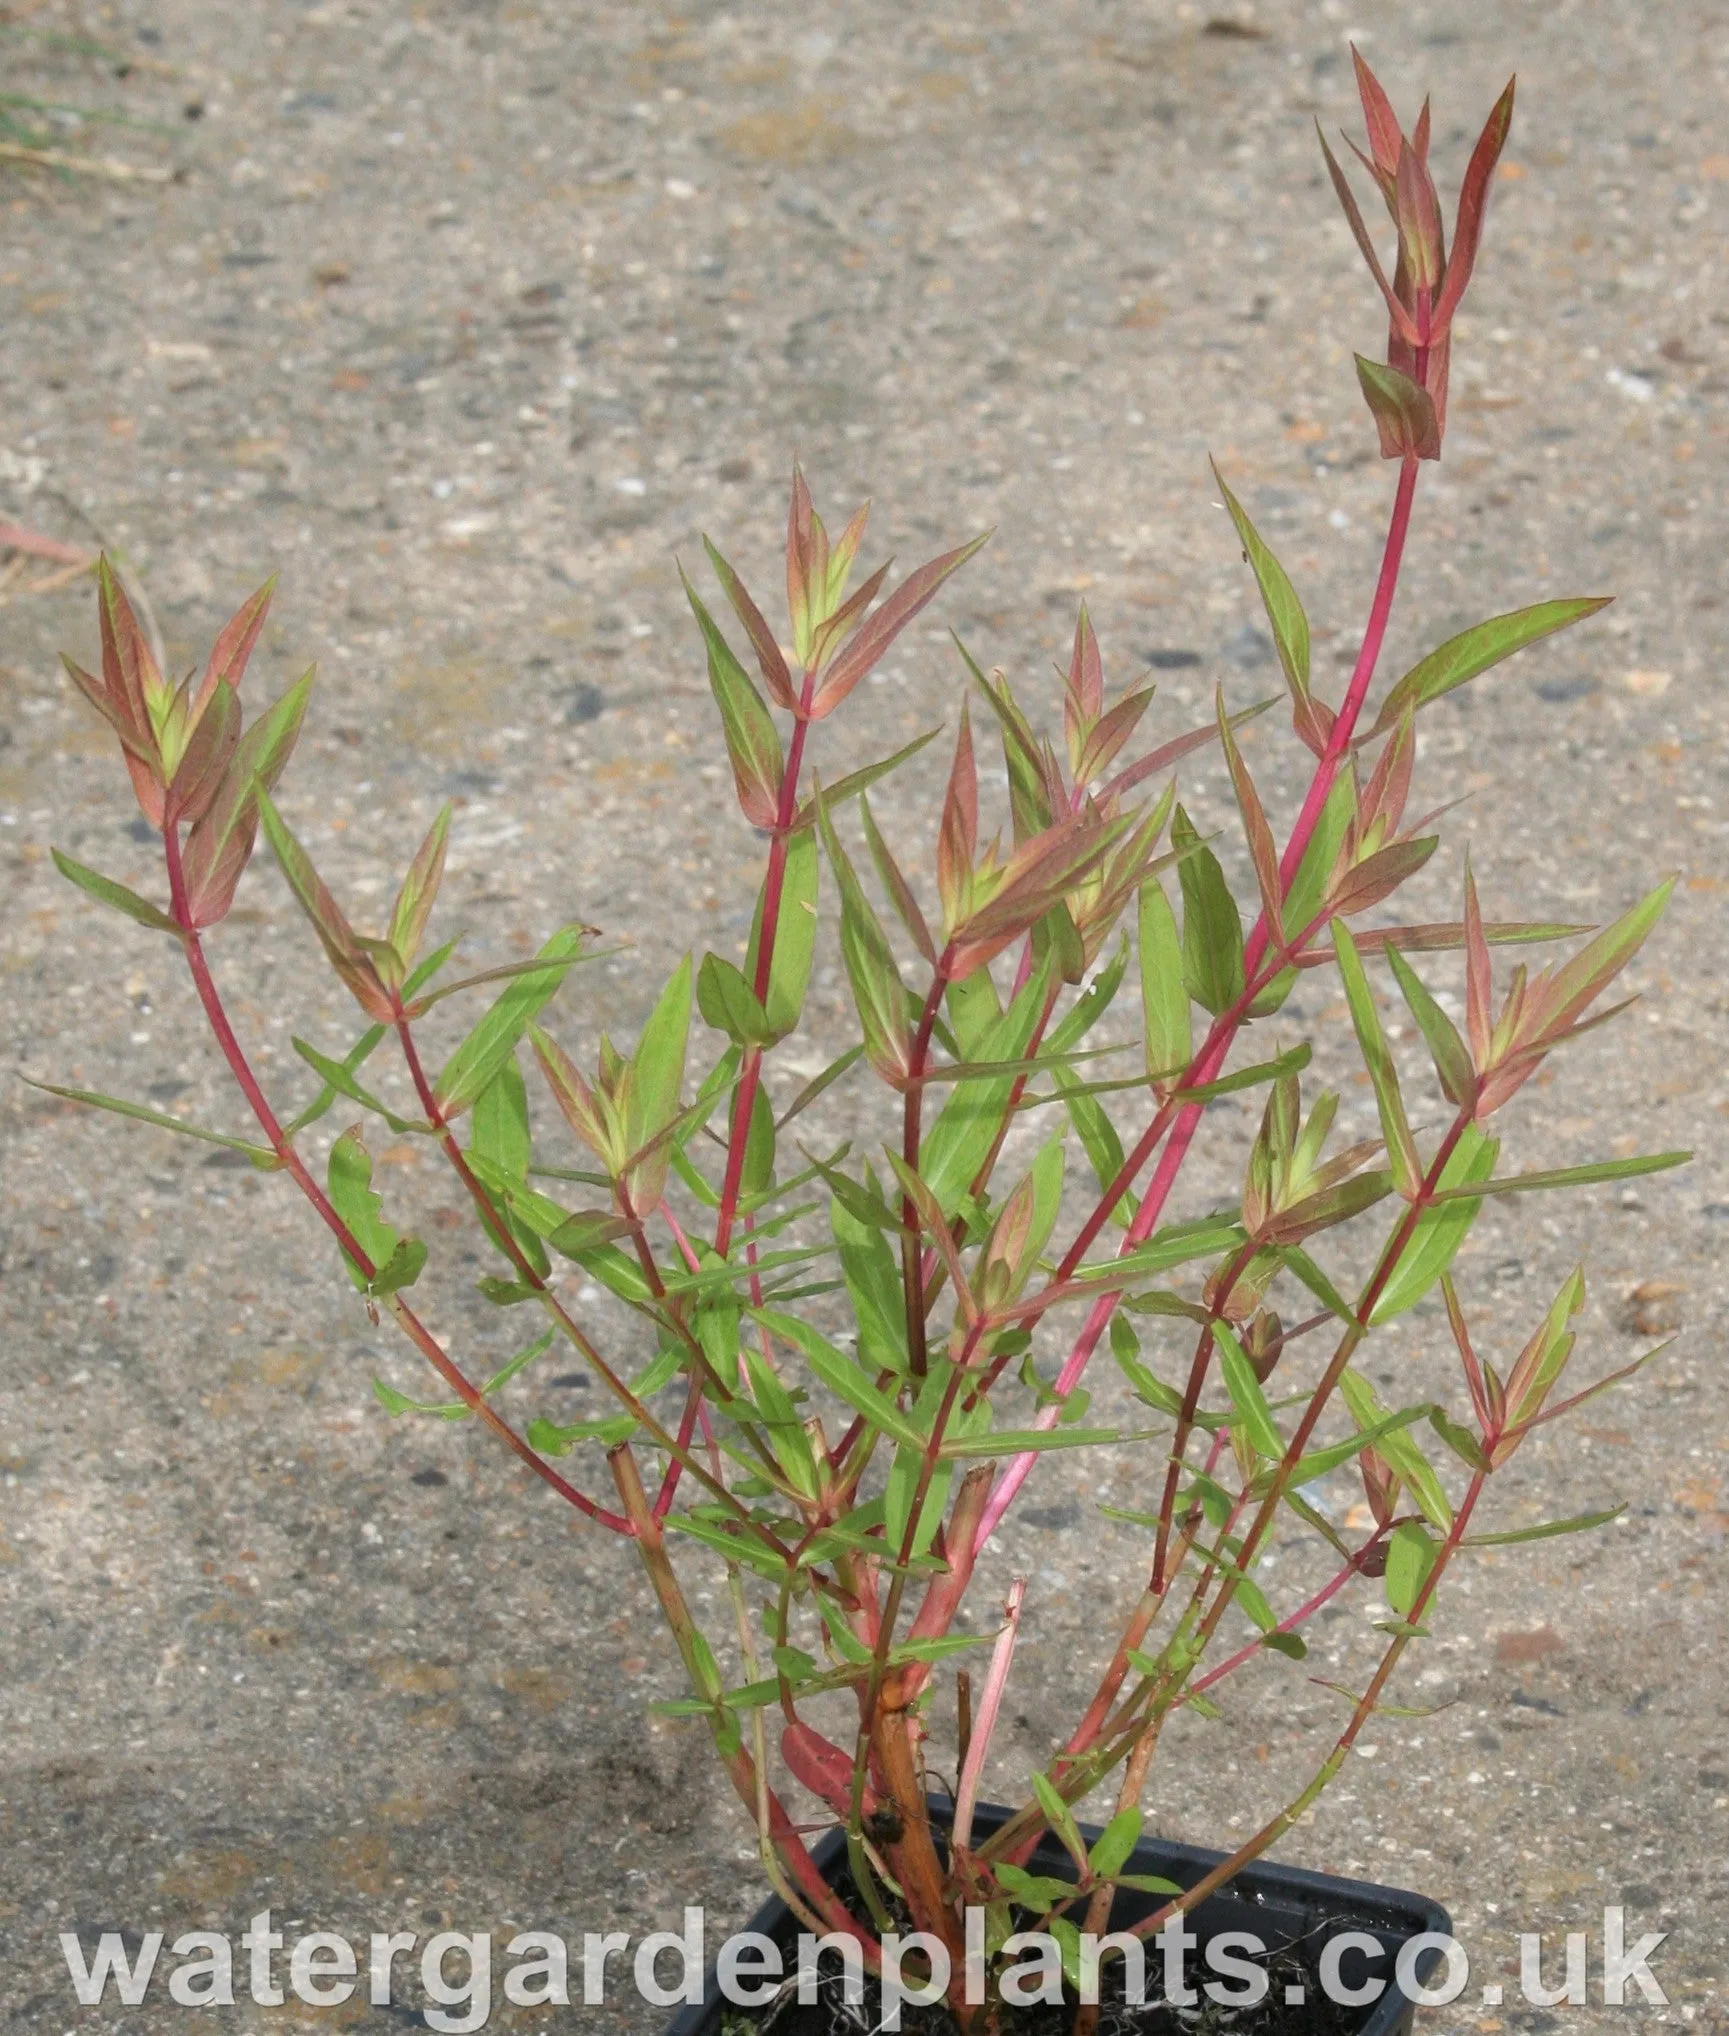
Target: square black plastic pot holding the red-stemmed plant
{"x": 1282, "y": 1907}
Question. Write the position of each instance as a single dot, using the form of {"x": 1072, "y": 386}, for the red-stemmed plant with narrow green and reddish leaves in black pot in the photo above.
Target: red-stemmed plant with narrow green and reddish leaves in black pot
{"x": 867, "y": 1349}
